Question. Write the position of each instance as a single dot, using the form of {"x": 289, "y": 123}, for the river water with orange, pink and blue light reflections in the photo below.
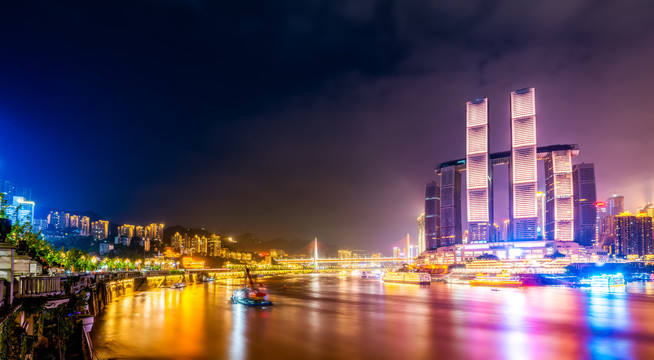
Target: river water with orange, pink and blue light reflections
{"x": 332, "y": 317}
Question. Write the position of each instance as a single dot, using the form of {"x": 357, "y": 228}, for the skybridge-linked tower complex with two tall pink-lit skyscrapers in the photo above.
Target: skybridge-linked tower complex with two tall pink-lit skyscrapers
{"x": 530, "y": 216}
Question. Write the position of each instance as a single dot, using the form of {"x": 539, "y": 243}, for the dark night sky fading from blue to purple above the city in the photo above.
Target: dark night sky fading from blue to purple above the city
{"x": 308, "y": 118}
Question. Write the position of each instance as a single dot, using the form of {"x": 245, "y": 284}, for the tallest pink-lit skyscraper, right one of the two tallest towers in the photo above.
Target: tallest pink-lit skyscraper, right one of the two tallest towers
{"x": 522, "y": 177}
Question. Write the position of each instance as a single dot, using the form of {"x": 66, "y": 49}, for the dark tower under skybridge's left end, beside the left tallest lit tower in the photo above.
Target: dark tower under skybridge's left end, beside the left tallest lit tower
{"x": 450, "y": 206}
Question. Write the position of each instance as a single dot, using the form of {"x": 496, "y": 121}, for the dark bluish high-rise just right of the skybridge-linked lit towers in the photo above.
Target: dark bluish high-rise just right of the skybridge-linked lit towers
{"x": 585, "y": 198}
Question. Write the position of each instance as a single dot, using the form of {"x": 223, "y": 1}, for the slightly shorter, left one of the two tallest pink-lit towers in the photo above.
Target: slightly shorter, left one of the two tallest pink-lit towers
{"x": 478, "y": 172}
